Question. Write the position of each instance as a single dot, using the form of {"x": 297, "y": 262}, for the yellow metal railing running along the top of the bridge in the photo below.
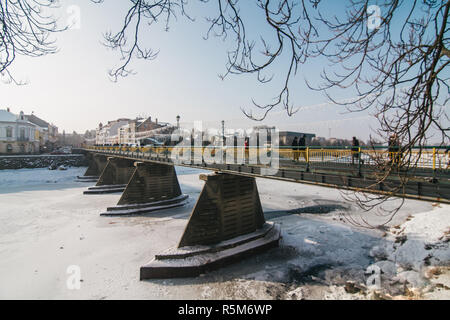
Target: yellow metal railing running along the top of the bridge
{"x": 436, "y": 159}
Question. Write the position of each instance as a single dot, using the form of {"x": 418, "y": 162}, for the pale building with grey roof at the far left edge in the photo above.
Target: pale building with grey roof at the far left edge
{"x": 17, "y": 134}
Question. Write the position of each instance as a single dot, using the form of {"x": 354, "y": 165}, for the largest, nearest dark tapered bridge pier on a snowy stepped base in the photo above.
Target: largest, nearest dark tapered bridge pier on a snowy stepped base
{"x": 227, "y": 224}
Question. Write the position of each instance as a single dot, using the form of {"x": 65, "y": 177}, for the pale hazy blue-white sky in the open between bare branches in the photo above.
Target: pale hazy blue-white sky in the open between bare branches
{"x": 72, "y": 90}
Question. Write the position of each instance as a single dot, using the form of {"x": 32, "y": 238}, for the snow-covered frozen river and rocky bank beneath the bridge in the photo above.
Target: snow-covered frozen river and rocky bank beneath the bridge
{"x": 48, "y": 225}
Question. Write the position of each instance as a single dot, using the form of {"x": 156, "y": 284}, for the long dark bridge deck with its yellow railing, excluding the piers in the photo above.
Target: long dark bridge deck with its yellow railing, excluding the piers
{"x": 428, "y": 178}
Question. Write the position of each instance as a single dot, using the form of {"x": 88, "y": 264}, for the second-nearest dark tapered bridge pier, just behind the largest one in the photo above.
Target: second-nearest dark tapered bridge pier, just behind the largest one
{"x": 152, "y": 187}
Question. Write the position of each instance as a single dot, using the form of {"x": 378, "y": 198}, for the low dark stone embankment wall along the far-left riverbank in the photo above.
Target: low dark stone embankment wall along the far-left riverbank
{"x": 42, "y": 161}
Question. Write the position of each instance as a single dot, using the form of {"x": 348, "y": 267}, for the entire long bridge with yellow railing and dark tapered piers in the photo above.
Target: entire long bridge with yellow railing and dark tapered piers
{"x": 227, "y": 221}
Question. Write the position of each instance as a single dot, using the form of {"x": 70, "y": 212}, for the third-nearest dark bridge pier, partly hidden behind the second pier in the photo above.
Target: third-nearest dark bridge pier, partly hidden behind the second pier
{"x": 114, "y": 177}
